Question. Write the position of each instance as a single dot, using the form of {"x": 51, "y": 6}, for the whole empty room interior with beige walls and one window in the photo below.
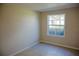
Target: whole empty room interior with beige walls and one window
{"x": 39, "y": 29}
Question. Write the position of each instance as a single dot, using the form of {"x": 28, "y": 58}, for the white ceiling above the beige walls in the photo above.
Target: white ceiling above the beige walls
{"x": 48, "y": 6}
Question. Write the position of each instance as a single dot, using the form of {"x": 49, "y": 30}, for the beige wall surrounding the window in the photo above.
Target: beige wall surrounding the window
{"x": 71, "y": 37}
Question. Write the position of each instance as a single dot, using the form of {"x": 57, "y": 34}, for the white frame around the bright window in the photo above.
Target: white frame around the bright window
{"x": 48, "y": 25}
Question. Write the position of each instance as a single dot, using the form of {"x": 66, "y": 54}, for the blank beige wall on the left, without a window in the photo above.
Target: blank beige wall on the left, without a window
{"x": 20, "y": 28}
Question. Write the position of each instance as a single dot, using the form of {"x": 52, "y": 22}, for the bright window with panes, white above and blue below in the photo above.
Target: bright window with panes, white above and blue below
{"x": 56, "y": 24}
